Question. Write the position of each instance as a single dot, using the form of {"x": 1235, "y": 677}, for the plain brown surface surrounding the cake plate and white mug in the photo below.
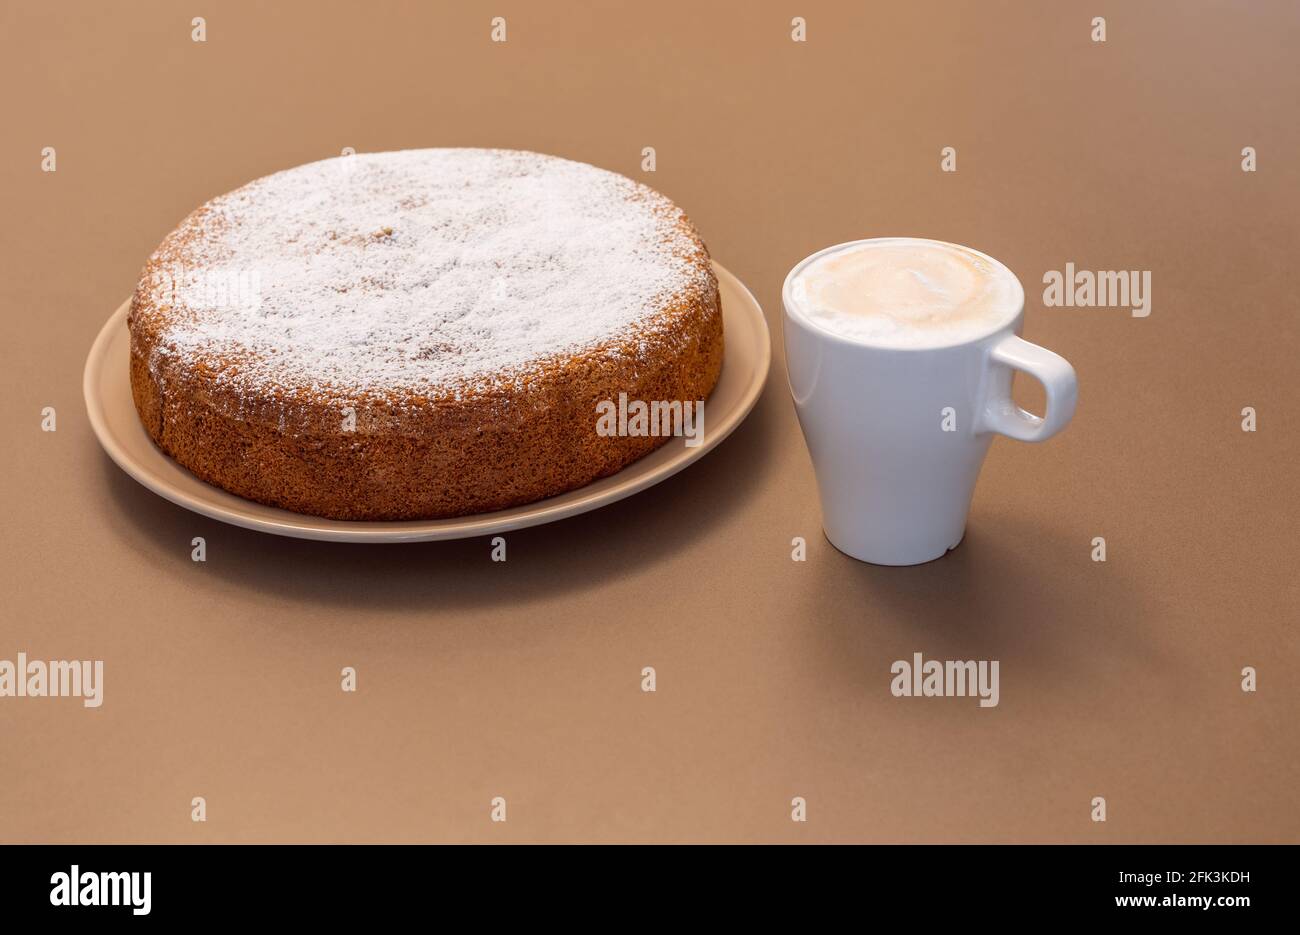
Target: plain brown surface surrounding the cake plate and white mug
{"x": 523, "y": 679}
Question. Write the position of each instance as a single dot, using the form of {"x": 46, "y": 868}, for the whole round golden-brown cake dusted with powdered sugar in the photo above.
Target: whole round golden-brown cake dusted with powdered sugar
{"x": 423, "y": 334}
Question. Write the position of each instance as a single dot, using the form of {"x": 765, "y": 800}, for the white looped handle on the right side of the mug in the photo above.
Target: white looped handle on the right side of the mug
{"x": 1000, "y": 413}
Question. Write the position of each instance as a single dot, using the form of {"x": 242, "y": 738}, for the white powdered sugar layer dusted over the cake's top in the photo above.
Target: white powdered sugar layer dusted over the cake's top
{"x": 423, "y": 271}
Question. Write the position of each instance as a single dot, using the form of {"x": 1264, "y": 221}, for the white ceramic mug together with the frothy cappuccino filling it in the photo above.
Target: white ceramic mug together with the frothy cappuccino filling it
{"x": 902, "y": 356}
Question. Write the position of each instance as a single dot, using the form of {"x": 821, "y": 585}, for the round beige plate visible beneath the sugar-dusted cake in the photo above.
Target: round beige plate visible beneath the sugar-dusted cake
{"x": 112, "y": 414}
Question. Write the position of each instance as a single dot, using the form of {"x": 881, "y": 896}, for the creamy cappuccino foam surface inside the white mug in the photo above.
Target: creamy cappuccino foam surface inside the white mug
{"x": 907, "y": 293}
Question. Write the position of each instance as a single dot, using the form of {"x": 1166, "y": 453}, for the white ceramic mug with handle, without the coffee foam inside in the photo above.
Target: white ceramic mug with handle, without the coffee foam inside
{"x": 899, "y": 435}
